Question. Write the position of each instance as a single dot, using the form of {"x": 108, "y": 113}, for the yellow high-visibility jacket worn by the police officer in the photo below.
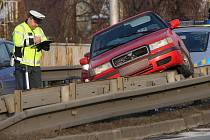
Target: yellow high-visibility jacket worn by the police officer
{"x": 21, "y": 34}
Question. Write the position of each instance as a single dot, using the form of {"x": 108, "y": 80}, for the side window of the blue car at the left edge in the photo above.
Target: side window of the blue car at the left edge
{"x": 4, "y": 55}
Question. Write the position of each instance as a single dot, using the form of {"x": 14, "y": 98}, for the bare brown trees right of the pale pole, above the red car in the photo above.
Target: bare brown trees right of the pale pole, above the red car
{"x": 168, "y": 9}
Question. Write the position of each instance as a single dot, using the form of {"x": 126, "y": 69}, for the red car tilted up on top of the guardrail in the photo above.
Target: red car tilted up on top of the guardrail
{"x": 139, "y": 45}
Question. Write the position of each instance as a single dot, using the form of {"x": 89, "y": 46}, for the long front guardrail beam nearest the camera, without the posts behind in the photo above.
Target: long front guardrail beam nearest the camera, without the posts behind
{"x": 106, "y": 106}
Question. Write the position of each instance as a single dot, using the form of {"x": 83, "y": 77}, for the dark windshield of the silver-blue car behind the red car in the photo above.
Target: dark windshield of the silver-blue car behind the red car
{"x": 195, "y": 41}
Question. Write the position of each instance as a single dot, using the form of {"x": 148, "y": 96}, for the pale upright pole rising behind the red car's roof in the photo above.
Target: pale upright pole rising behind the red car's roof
{"x": 114, "y": 11}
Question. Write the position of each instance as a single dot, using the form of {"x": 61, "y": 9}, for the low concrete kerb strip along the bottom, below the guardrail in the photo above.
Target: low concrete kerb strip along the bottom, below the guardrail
{"x": 145, "y": 131}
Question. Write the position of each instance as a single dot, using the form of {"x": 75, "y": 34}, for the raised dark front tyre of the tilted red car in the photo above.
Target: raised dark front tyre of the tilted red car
{"x": 187, "y": 68}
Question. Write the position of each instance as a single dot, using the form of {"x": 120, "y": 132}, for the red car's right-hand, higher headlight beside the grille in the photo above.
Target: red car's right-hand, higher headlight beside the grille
{"x": 160, "y": 43}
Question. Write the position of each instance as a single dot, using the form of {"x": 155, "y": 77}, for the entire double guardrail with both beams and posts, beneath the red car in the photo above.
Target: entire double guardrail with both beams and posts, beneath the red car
{"x": 76, "y": 104}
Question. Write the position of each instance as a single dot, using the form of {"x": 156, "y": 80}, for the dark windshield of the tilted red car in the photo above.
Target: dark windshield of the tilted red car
{"x": 126, "y": 31}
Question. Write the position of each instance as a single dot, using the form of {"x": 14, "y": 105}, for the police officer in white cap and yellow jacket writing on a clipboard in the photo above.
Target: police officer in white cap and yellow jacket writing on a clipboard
{"x": 27, "y": 57}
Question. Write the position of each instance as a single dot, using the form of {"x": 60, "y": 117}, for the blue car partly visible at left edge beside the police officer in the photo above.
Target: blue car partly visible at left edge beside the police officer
{"x": 7, "y": 79}
